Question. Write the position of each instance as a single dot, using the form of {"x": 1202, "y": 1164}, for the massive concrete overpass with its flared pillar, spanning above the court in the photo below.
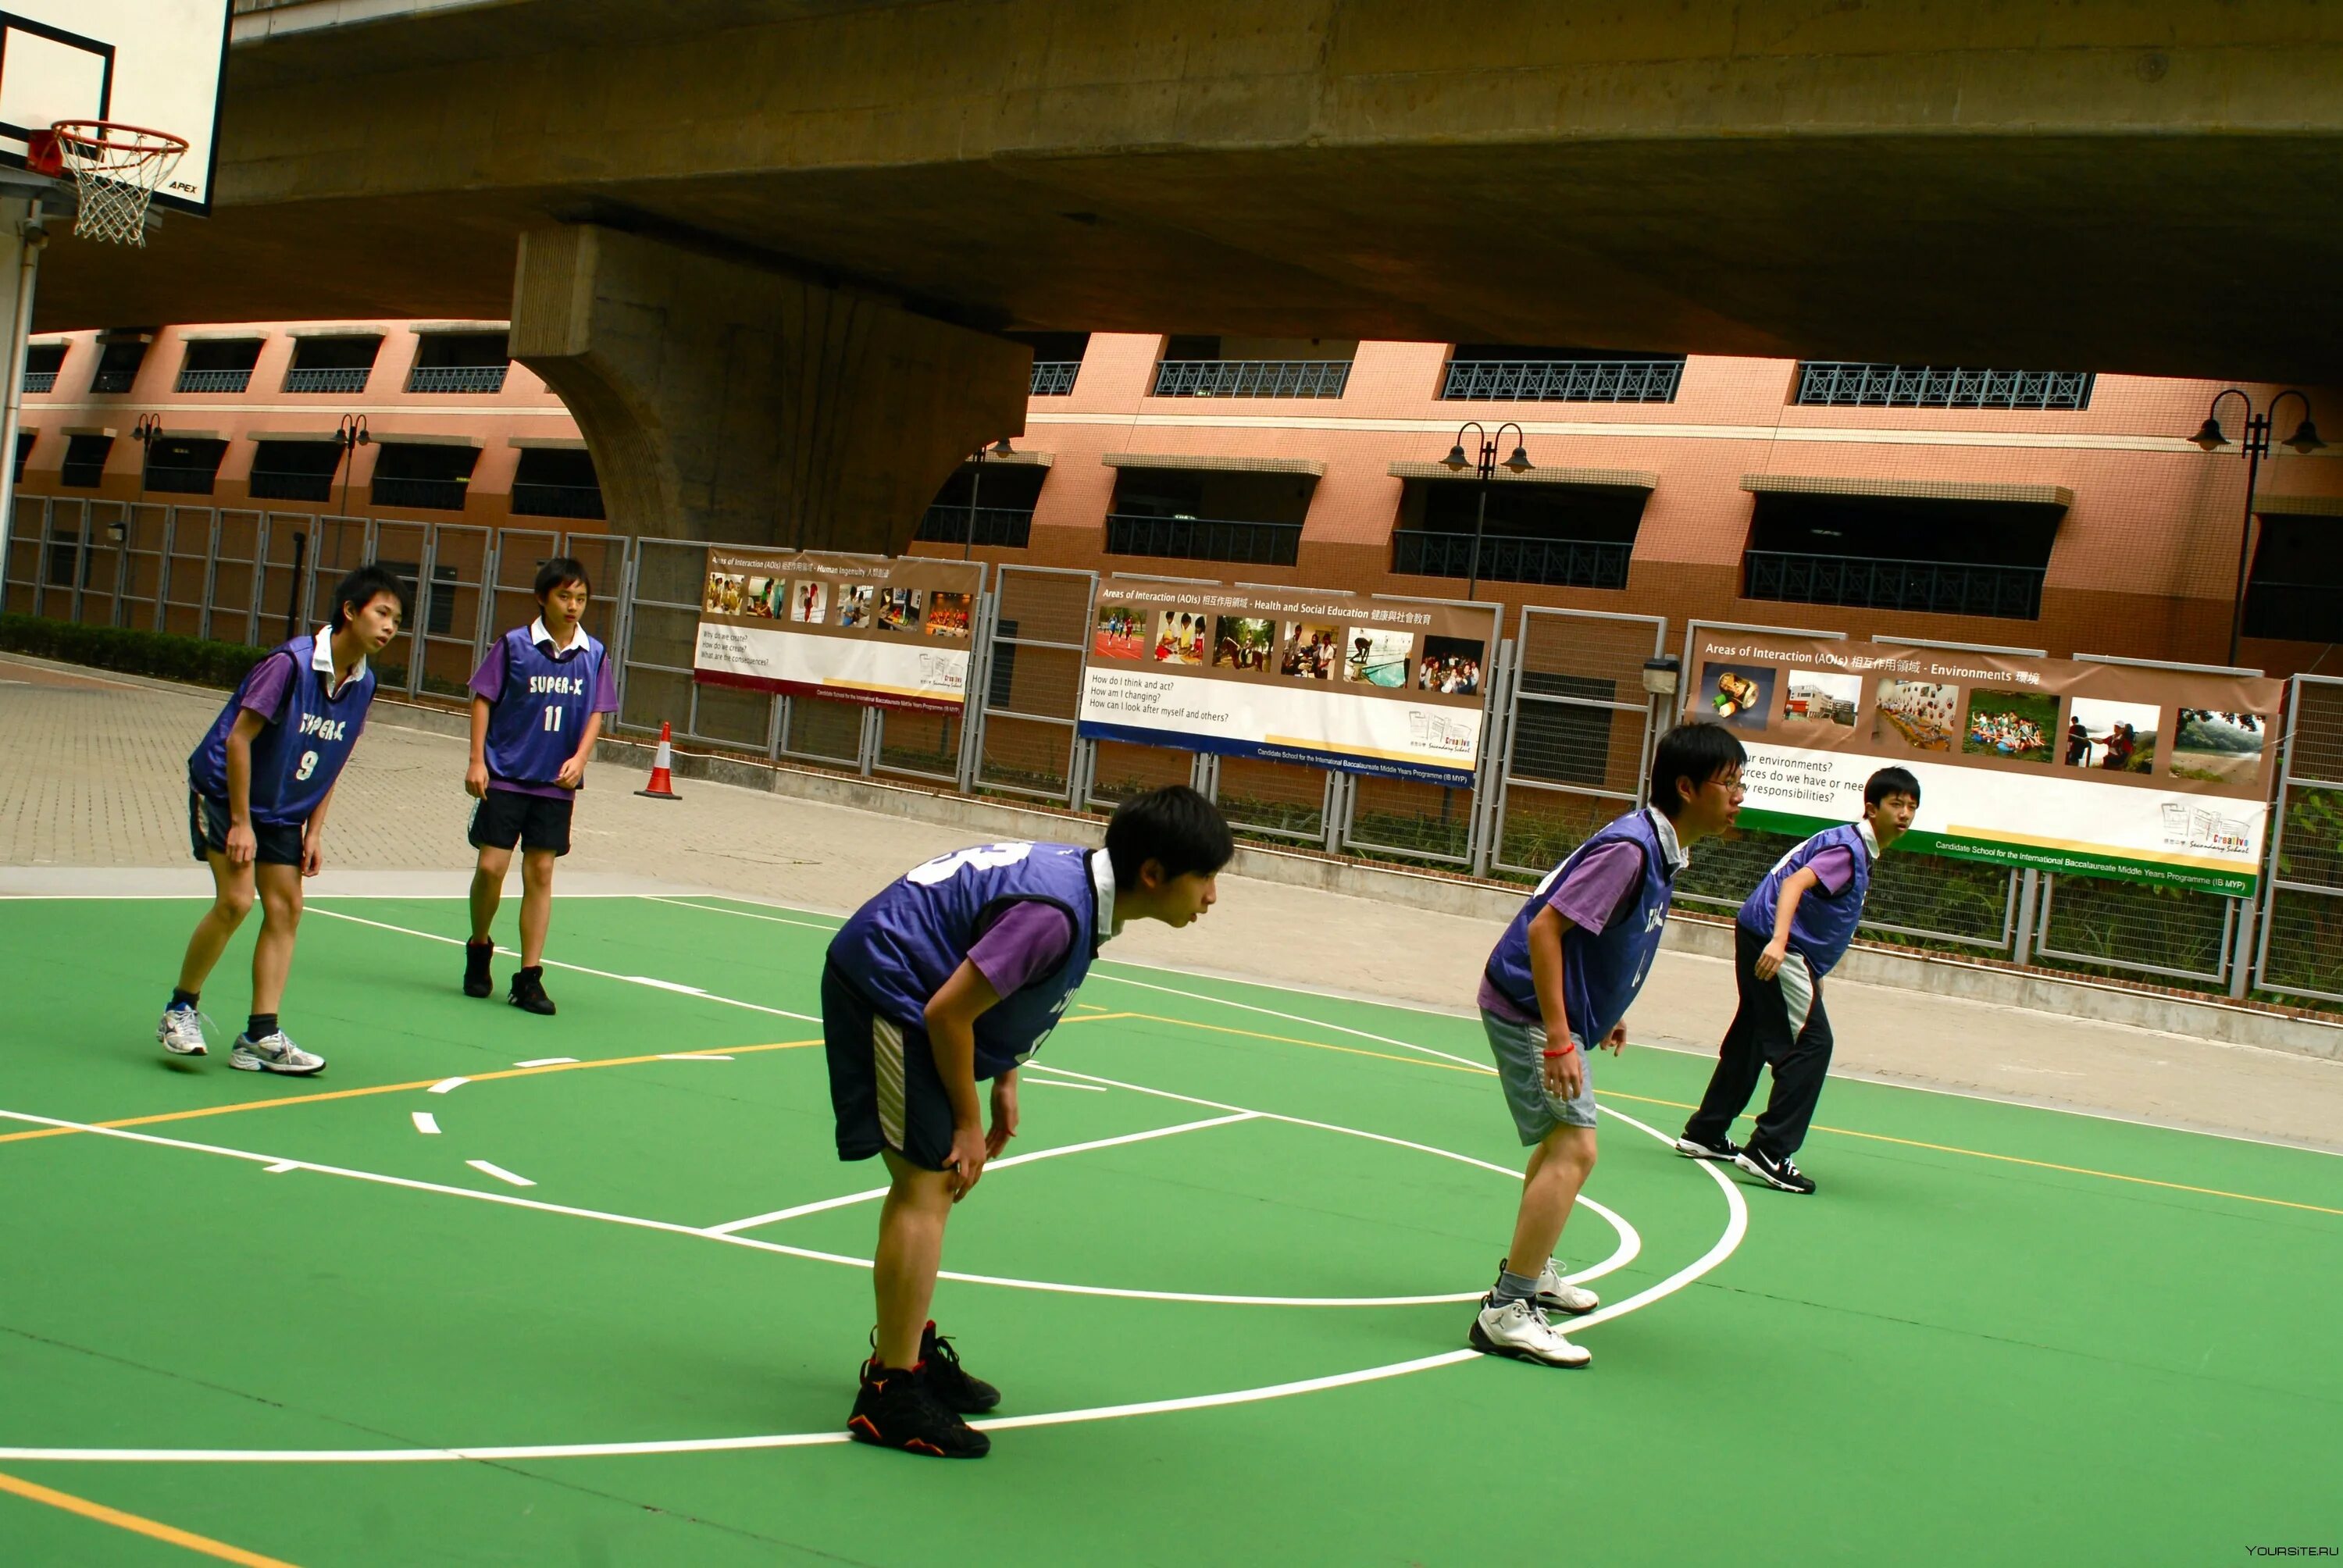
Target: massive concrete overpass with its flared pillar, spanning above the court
{"x": 763, "y": 243}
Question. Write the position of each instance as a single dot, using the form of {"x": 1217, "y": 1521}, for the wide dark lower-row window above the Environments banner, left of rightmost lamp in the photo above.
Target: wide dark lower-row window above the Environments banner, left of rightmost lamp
{"x": 1976, "y": 559}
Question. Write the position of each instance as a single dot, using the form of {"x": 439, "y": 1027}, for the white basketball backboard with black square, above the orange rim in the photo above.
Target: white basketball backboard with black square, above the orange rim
{"x": 142, "y": 62}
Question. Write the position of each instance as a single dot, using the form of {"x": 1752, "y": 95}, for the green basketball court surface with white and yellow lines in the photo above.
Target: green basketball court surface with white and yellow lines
{"x": 1227, "y": 1288}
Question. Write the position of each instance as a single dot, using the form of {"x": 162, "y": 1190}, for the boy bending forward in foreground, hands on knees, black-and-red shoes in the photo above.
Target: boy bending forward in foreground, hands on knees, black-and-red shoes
{"x": 950, "y": 976}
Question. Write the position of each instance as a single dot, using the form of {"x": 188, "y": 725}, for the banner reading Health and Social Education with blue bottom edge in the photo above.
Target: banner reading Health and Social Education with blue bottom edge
{"x": 1330, "y": 681}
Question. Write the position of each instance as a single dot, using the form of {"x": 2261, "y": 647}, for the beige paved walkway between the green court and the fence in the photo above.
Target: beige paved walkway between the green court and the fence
{"x": 93, "y": 775}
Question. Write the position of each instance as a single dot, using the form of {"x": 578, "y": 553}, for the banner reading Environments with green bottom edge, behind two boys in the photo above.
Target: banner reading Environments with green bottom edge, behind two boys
{"x": 2082, "y": 770}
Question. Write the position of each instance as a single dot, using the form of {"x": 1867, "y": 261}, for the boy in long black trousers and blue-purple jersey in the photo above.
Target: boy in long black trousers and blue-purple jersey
{"x": 1791, "y": 932}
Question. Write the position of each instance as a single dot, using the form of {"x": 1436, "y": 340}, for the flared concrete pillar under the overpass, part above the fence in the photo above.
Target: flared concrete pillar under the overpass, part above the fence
{"x": 746, "y": 407}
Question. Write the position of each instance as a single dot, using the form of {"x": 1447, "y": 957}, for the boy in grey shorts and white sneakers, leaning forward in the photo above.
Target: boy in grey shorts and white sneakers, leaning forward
{"x": 1557, "y": 988}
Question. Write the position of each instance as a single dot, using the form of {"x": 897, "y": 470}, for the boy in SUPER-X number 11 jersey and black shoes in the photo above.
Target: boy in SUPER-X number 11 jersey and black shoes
{"x": 538, "y": 709}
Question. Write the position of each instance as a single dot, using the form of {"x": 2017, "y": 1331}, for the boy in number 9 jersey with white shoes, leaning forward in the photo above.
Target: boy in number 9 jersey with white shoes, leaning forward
{"x": 259, "y": 791}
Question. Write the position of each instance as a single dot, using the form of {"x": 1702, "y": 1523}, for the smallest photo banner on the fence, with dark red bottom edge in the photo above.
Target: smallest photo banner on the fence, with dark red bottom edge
{"x": 884, "y": 634}
